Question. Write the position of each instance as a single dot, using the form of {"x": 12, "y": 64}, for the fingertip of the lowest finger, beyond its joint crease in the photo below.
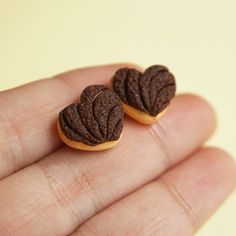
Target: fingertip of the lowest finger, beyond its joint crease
{"x": 205, "y": 180}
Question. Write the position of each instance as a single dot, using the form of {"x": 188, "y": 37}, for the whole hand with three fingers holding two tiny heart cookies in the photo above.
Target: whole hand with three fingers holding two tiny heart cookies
{"x": 158, "y": 180}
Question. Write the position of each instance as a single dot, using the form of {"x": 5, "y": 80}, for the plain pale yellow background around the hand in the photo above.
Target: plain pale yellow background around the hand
{"x": 196, "y": 39}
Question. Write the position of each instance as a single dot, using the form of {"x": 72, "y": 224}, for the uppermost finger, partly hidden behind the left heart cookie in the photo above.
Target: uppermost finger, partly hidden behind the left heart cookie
{"x": 28, "y": 115}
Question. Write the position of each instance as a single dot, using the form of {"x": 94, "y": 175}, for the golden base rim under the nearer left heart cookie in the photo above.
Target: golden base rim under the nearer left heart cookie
{"x": 85, "y": 147}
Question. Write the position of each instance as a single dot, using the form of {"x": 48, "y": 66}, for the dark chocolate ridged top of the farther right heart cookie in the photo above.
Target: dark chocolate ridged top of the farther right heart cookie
{"x": 149, "y": 92}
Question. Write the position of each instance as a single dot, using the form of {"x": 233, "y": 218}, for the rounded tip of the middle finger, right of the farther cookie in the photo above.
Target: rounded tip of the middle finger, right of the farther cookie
{"x": 188, "y": 122}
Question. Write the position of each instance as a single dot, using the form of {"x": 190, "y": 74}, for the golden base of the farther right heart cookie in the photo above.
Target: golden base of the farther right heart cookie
{"x": 140, "y": 116}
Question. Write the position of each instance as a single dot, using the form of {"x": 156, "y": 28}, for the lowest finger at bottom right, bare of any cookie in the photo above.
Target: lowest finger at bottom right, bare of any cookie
{"x": 175, "y": 204}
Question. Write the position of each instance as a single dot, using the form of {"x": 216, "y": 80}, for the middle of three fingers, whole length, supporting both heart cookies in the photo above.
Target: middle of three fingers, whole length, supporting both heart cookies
{"x": 71, "y": 186}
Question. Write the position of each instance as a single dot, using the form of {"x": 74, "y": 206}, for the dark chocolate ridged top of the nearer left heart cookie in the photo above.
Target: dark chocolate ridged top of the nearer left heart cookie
{"x": 98, "y": 117}
